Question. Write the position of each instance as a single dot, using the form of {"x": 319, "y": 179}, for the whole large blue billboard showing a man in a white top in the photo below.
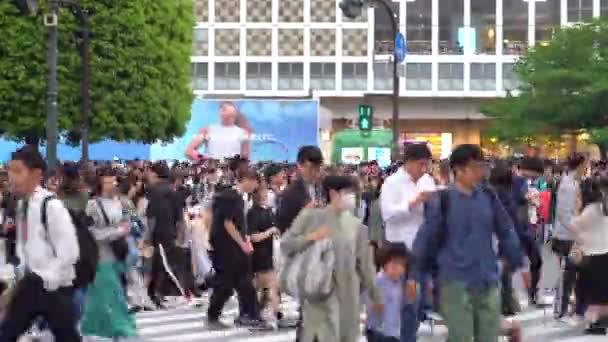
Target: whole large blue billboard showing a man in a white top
{"x": 266, "y": 129}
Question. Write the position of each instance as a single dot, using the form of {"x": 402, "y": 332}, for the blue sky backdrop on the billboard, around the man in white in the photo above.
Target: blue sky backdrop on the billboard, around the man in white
{"x": 280, "y": 128}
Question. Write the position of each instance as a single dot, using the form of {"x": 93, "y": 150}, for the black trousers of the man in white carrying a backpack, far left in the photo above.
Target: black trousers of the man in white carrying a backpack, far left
{"x": 31, "y": 301}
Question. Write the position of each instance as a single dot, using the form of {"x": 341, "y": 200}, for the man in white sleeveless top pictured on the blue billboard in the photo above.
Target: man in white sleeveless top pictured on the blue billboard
{"x": 231, "y": 137}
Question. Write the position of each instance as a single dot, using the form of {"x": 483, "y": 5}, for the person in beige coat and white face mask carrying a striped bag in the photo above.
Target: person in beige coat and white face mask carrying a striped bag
{"x": 336, "y": 319}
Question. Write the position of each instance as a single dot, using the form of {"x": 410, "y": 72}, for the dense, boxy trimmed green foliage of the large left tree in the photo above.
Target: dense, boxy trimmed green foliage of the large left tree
{"x": 140, "y": 71}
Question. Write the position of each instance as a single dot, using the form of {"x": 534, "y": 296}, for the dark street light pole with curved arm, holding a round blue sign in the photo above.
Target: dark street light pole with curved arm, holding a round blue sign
{"x": 353, "y": 9}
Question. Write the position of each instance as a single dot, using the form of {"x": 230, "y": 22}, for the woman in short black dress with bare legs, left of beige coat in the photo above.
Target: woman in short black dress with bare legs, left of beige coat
{"x": 261, "y": 226}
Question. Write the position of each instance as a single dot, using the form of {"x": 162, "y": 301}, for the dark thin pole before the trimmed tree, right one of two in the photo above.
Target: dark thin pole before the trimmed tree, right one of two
{"x": 84, "y": 83}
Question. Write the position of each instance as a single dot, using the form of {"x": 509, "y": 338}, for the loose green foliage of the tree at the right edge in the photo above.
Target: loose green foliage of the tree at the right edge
{"x": 565, "y": 85}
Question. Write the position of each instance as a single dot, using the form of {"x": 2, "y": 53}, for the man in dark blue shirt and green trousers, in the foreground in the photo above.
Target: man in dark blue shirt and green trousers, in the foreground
{"x": 458, "y": 234}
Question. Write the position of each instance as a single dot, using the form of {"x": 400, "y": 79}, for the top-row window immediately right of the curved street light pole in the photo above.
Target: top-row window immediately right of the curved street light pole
{"x": 419, "y": 32}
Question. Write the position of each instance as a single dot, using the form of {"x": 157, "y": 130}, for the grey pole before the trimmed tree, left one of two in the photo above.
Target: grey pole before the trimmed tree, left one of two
{"x": 51, "y": 114}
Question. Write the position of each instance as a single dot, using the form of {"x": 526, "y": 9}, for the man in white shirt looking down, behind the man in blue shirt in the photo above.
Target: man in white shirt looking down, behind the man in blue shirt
{"x": 402, "y": 201}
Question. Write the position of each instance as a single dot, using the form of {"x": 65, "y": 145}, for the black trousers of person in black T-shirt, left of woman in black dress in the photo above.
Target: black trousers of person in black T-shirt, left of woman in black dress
{"x": 231, "y": 276}
